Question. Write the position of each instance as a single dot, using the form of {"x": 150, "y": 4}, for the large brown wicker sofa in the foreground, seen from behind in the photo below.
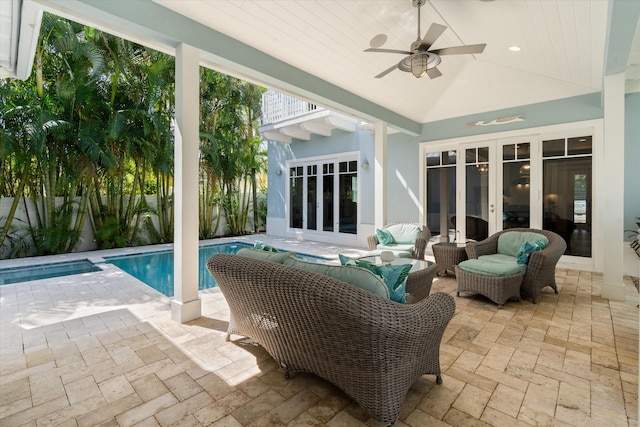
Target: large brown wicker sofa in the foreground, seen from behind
{"x": 372, "y": 348}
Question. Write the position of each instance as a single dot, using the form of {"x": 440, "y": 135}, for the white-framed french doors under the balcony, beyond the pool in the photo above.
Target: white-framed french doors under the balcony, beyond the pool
{"x": 323, "y": 196}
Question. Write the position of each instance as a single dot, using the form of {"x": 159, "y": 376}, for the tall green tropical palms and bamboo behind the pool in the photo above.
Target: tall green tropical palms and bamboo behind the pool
{"x": 88, "y": 137}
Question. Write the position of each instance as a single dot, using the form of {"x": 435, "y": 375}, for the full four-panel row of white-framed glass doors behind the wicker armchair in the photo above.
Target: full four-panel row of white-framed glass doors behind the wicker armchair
{"x": 531, "y": 181}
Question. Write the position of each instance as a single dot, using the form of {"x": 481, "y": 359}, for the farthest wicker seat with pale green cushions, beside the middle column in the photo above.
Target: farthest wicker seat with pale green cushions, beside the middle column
{"x": 410, "y": 240}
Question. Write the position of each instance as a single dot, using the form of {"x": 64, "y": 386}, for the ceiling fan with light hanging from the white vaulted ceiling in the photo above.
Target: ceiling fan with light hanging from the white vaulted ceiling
{"x": 420, "y": 59}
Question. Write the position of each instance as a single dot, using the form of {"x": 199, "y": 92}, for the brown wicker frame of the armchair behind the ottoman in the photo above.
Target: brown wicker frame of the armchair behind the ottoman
{"x": 542, "y": 264}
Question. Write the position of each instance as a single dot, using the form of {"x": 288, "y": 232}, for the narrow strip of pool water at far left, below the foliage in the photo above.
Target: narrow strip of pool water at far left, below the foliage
{"x": 45, "y": 271}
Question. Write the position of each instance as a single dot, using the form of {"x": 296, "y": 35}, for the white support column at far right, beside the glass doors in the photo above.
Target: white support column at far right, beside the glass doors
{"x": 613, "y": 177}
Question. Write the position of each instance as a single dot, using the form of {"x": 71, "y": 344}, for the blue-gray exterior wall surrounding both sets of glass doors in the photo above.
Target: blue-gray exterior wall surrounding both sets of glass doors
{"x": 403, "y": 161}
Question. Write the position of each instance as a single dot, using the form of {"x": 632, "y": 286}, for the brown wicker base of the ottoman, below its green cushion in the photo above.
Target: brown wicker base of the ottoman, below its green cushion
{"x": 498, "y": 289}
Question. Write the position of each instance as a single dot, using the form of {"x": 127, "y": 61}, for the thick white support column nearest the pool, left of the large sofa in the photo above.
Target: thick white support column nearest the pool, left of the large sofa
{"x": 186, "y": 304}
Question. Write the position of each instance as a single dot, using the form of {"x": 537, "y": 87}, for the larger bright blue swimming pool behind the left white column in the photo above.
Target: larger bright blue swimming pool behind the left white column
{"x": 156, "y": 268}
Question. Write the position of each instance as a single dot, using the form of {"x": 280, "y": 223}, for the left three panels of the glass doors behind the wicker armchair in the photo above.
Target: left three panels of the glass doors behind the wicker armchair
{"x": 474, "y": 190}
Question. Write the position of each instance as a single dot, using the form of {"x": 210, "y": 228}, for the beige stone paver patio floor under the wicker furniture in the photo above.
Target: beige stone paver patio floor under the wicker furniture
{"x": 100, "y": 349}
